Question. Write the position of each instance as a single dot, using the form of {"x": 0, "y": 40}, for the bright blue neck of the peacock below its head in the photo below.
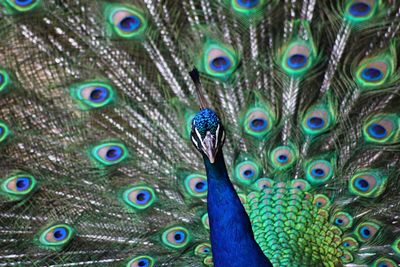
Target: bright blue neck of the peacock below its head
{"x": 232, "y": 238}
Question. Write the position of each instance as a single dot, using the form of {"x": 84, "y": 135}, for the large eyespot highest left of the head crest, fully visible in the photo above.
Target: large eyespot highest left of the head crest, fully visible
{"x": 126, "y": 22}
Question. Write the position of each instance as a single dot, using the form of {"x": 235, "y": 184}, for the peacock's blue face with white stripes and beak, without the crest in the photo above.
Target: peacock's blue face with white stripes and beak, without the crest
{"x": 207, "y": 134}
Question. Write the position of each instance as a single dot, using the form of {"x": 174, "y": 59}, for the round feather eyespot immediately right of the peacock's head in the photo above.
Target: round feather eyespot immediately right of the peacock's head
{"x": 258, "y": 122}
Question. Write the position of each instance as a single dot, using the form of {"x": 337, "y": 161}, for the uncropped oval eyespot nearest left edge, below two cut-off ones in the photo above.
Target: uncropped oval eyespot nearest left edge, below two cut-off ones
{"x": 19, "y": 185}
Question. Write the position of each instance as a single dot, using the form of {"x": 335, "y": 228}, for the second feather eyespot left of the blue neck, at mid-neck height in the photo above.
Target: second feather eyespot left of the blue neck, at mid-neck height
{"x": 139, "y": 197}
